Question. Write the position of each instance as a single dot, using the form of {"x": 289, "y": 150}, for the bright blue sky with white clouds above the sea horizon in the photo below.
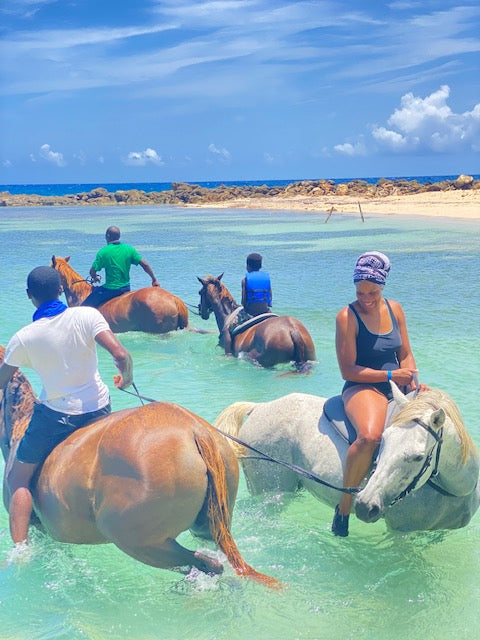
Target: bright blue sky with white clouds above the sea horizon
{"x": 161, "y": 90}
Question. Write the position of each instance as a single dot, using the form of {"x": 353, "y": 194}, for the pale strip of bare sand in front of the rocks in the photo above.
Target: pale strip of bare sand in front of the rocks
{"x": 452, "y": 204}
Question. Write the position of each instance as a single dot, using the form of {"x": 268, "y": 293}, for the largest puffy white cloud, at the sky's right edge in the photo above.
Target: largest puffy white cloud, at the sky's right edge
{"x": 430, "y": 124}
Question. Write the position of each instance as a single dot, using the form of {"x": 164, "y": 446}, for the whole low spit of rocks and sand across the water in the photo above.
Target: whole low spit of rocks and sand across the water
{"x": 330, "y": 200}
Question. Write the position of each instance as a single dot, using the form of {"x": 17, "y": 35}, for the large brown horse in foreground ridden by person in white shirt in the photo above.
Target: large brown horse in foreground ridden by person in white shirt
{"x": 136, "y": 478}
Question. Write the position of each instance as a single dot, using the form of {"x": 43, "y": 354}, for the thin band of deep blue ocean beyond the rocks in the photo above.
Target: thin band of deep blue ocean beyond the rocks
{"x": 62, "y": 189}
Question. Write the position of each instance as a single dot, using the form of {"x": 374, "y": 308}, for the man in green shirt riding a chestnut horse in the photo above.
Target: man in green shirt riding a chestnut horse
{"x": 116, "y": 258}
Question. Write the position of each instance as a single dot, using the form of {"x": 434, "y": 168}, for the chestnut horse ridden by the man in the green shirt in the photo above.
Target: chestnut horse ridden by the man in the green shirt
{"x": 152, "y": 309}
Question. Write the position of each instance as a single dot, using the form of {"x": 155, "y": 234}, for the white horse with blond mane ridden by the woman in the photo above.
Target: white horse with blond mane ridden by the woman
{"x": 426, "y": 473}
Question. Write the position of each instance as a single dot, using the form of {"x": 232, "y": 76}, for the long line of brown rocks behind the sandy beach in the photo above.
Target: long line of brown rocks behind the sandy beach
{"x": 183, "y": 194}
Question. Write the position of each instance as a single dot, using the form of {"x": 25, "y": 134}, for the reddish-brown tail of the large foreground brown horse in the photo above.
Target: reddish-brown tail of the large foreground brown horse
{"x": 218, "y": 512}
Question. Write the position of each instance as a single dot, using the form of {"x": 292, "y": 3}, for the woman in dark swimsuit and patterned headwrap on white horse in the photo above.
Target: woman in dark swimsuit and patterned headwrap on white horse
{"x": 372, "y": 349}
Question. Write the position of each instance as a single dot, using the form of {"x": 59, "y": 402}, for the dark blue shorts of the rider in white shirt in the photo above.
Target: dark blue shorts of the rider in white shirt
{"x": 48, "y": 428}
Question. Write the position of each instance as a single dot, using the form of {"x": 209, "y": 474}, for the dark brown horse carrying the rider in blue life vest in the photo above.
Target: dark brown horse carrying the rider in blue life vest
{"x": 272, "y": 341}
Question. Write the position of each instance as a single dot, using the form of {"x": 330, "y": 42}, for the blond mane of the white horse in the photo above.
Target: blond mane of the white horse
{"x": 437, "y": 399}
